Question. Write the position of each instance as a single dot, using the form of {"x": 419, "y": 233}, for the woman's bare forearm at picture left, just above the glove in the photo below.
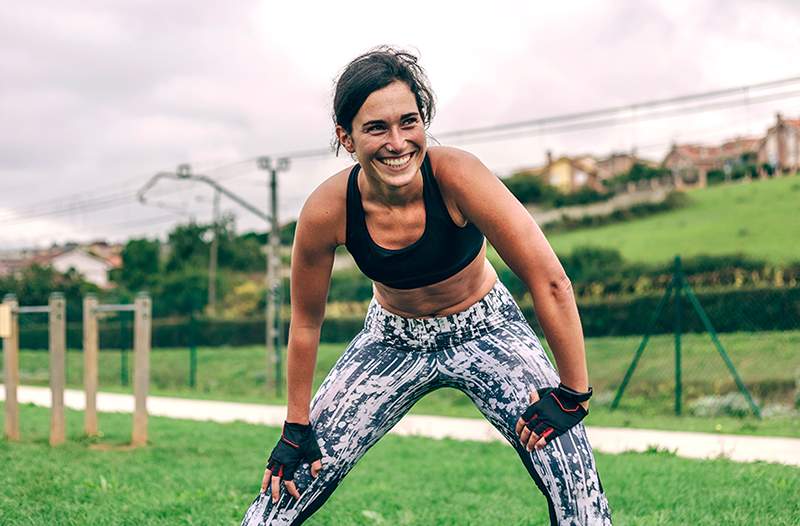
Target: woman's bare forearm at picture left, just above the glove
{"x": 301, "y": 362}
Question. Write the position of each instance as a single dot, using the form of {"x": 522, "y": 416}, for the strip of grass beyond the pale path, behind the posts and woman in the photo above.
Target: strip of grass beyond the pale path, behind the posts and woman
{"x": 768, "y": 361}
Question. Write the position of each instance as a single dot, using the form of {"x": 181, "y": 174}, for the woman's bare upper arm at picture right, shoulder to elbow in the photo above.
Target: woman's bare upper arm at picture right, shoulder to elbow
{"x": 486, "y": 202}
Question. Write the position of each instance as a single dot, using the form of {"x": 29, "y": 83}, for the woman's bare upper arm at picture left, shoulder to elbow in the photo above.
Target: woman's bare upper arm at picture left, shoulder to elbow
{"x": 313, "y": 251}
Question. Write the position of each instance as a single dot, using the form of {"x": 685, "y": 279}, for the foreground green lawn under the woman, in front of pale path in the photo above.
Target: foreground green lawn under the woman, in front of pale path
{"x": 198, "y": 474}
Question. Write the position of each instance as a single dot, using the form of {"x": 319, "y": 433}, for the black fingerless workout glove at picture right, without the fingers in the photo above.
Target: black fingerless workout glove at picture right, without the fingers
{"x": 557, "y": 410}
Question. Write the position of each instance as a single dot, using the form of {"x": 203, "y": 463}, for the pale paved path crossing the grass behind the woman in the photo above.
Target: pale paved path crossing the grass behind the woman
{"x": 740, "y": 448}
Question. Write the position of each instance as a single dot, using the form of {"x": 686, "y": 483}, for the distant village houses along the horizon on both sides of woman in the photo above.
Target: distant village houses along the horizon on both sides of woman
{"x": 687, "y": 166}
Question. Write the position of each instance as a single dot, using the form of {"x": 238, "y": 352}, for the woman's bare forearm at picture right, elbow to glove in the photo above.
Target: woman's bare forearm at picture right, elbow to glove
{"x": 555, "y": 307}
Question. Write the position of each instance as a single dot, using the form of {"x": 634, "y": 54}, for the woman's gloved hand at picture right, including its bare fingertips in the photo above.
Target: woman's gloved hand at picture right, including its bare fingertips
{"x": 553, "y": 411}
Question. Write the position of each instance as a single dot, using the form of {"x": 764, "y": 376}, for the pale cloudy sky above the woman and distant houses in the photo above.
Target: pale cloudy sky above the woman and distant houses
{"x": 97, "y": 97}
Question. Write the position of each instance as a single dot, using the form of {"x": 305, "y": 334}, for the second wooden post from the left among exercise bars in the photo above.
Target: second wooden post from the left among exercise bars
{"x": 58, "y": 337}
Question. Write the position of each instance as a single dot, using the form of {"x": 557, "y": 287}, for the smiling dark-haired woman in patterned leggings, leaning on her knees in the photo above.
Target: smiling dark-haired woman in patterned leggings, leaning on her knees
{"x": 414, "y": 219}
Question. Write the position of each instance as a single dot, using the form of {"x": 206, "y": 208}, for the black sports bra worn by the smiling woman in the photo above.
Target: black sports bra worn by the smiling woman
{"x": 443, "y": 249}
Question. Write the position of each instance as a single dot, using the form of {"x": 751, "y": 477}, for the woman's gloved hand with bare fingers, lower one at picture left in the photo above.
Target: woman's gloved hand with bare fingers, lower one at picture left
{"x": 298, "y": 443}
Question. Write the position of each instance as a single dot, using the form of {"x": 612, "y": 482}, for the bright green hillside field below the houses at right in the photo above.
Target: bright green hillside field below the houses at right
{"x": 759, "y": 218}
